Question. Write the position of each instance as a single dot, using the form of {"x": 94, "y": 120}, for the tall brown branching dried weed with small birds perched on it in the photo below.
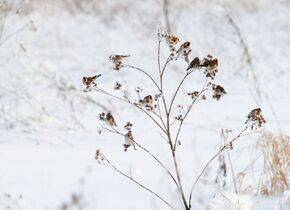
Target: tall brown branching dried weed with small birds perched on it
{"x": 161, "y": 107}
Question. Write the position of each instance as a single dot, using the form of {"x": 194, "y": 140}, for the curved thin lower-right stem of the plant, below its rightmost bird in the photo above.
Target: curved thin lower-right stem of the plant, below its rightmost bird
{"x": 216, "y": 155}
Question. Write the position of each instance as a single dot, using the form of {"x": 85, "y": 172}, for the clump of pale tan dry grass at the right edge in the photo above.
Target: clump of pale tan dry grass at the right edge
{"x": 274, "y": 178}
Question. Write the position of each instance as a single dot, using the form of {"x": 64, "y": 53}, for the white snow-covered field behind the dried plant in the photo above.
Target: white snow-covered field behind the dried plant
{"x": 49, "y": 126}
